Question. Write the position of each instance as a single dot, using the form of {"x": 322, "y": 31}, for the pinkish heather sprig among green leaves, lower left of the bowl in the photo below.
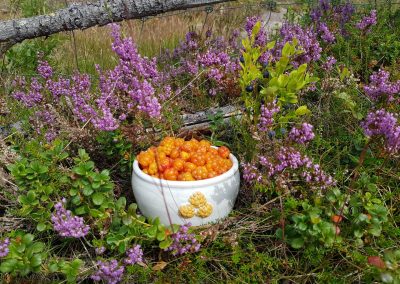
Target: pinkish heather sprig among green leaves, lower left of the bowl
{"x": 66, "y": 224}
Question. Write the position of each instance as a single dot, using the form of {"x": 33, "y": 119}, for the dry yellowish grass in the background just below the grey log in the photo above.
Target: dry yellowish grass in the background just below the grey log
{"x": 152, "y": 36}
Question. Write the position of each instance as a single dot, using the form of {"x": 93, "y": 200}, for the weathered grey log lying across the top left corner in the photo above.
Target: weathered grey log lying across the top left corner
{"x": 83, "y": 16}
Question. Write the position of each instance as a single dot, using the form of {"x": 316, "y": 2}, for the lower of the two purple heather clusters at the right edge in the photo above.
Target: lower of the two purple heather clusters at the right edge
{"x": 384, "y": 124}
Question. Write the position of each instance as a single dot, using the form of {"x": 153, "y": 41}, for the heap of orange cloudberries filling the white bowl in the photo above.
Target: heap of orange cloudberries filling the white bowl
{"x": 177, "y": 159}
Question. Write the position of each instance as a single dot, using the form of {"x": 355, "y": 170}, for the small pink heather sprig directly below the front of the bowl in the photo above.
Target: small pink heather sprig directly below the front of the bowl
{"x": 183, "y": 242}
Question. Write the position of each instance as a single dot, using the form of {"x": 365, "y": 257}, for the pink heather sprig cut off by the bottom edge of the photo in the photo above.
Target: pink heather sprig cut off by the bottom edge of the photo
{"x": 108, "y": 271}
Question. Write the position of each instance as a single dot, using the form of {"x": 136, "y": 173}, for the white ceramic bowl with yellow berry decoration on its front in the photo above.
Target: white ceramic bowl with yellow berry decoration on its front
{"x": 162, "y": 198}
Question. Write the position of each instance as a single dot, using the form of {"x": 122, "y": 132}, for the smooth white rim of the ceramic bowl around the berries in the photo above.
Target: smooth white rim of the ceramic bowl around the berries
{"x": 187, "y": 184}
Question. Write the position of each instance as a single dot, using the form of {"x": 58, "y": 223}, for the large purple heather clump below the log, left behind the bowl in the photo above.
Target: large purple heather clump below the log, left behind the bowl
{"x": 134, "y": 87}
